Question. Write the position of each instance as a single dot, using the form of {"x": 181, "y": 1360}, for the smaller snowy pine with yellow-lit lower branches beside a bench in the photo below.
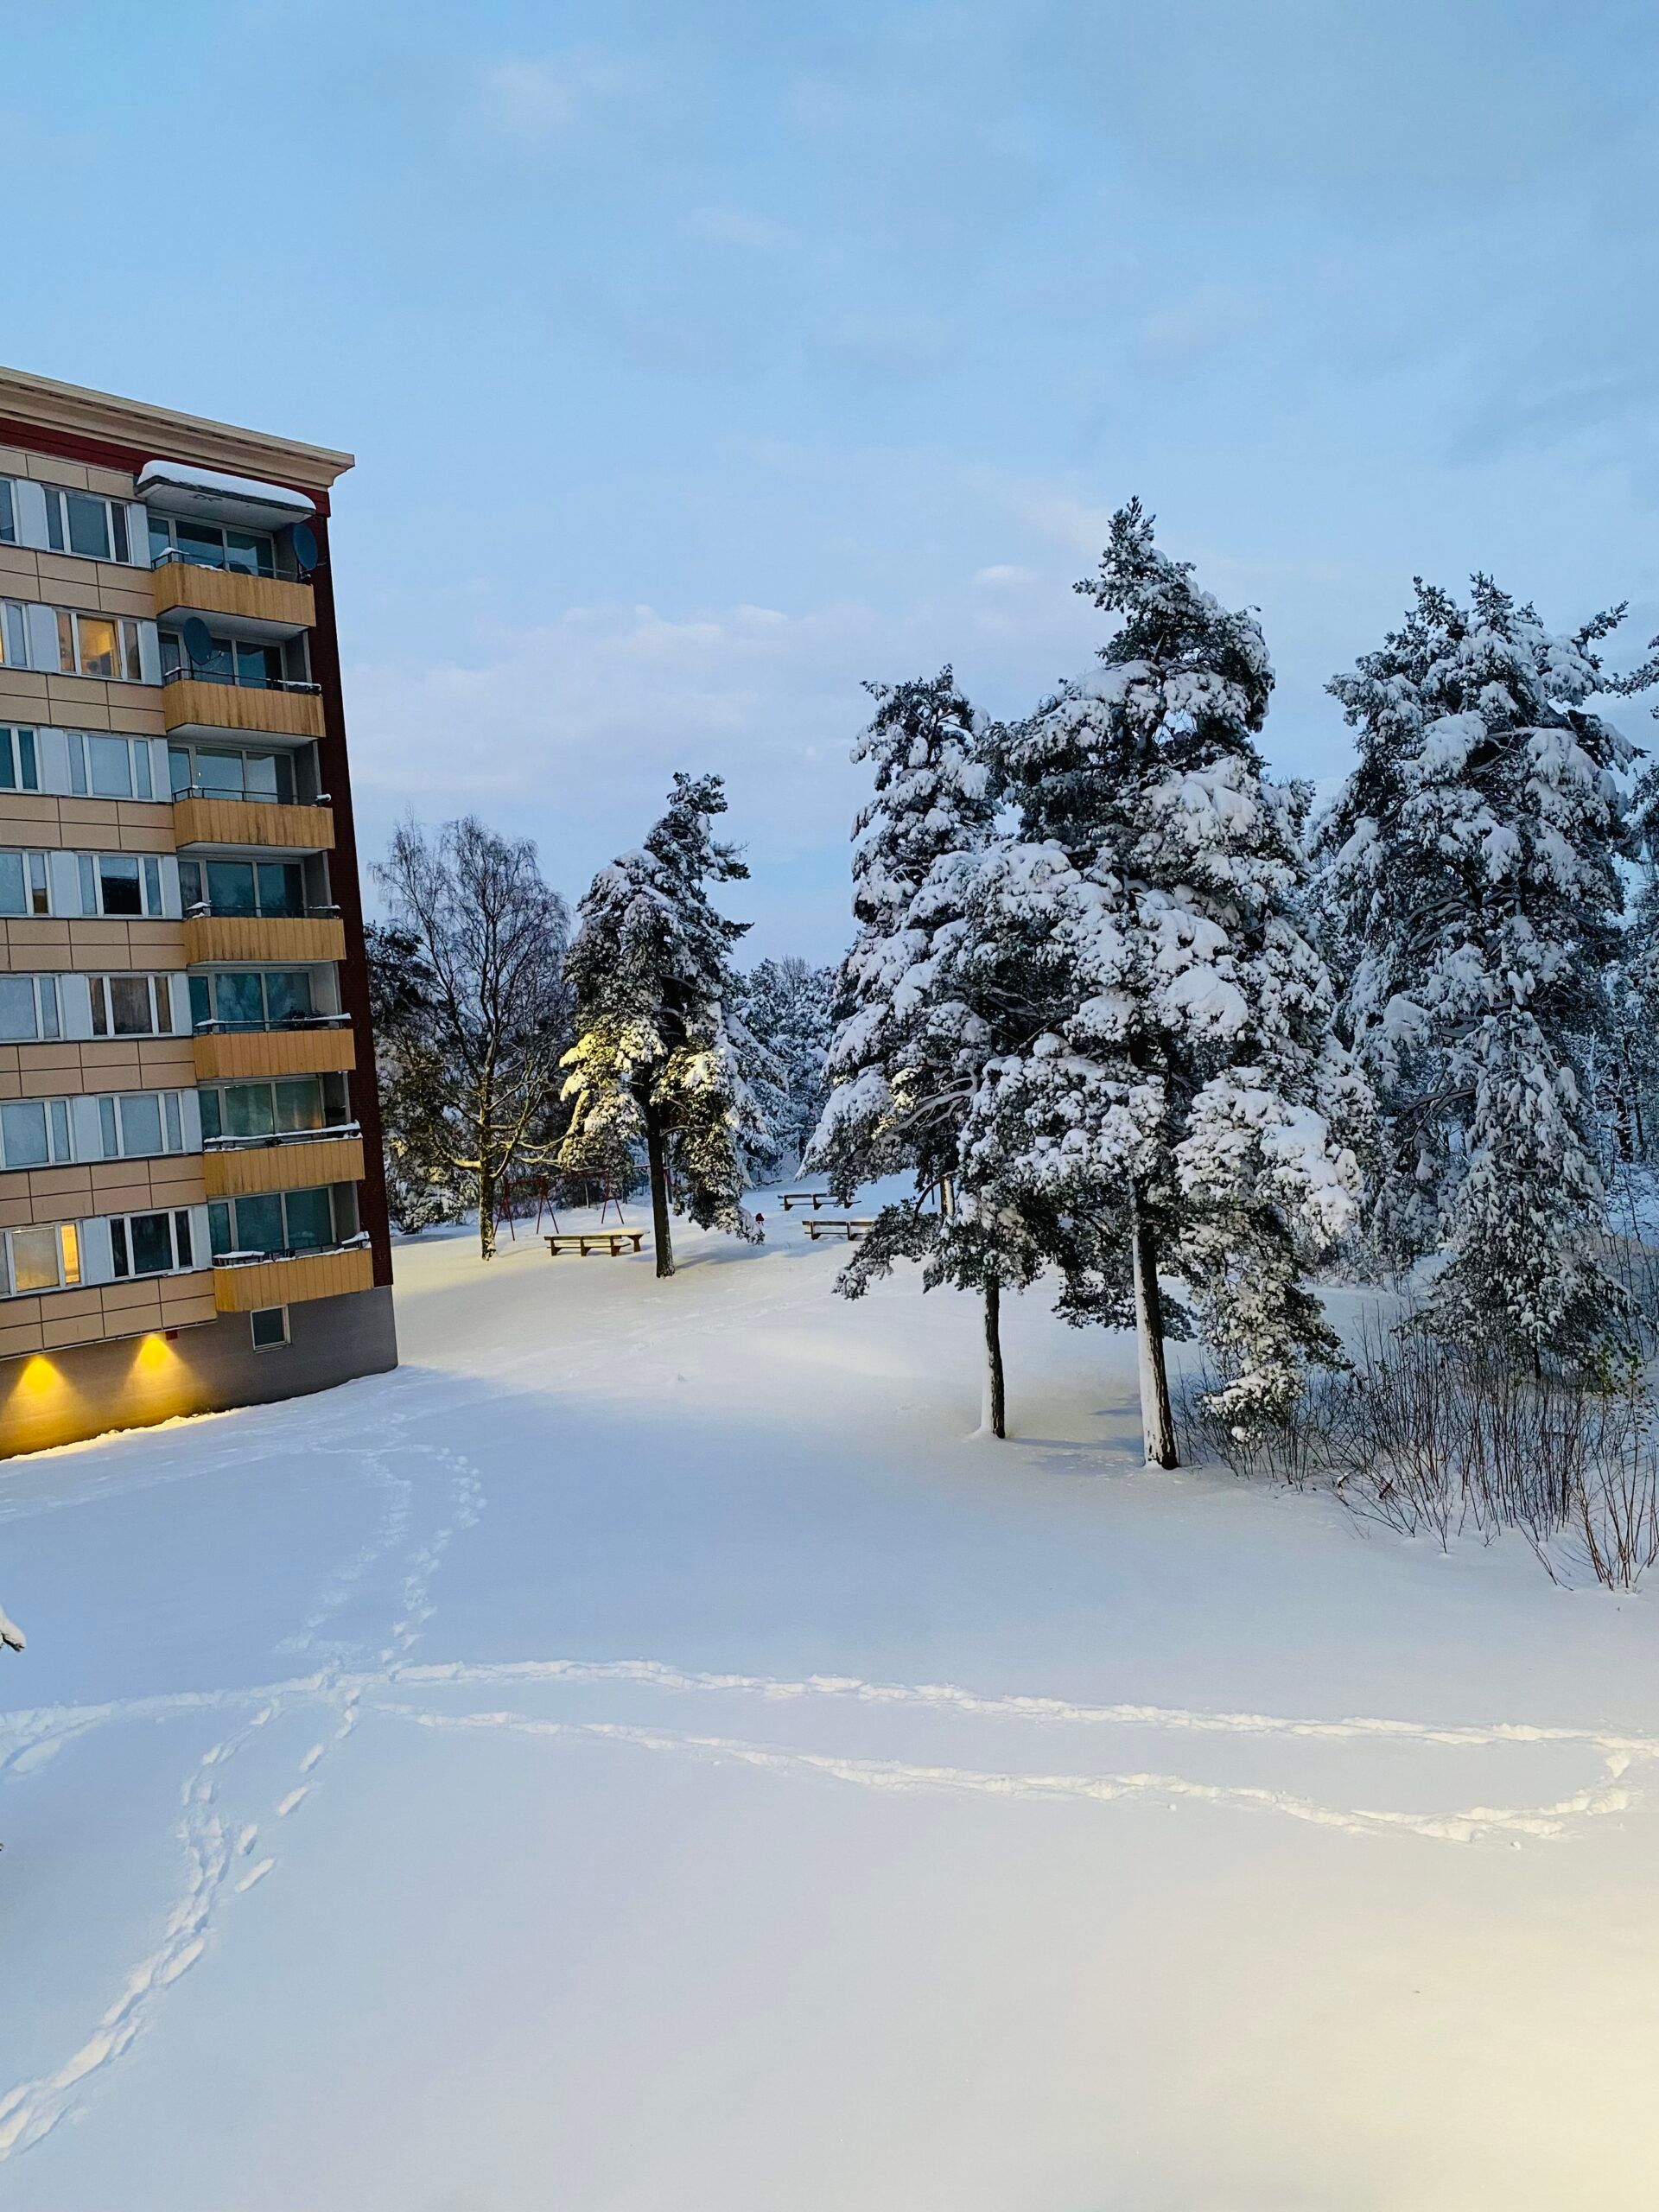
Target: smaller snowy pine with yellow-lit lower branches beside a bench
{"x": 658, "y": 1058}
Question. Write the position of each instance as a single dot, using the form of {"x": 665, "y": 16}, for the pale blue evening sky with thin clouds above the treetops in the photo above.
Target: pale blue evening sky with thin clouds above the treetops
{"x": 705, "y": 359}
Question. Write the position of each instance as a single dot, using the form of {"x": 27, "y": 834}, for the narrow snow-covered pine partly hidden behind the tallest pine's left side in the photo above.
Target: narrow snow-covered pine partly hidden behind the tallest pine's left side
{"x": 908, "y": 1050}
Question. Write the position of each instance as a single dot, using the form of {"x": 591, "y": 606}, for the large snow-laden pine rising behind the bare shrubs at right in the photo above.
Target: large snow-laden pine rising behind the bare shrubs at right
{"x": 1472, "y": 875}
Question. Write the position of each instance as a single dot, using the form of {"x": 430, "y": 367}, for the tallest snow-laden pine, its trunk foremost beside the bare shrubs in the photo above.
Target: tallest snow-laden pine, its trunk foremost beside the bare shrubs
{"x": 1176, "y": 1083}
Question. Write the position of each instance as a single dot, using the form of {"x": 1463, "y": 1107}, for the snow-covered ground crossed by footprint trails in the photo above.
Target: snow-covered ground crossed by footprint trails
{"x": 640, "y": 1757}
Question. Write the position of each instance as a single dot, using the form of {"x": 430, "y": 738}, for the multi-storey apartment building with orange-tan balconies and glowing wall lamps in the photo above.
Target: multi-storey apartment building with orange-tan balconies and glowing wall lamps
{"x": 191, "y": 1198}
